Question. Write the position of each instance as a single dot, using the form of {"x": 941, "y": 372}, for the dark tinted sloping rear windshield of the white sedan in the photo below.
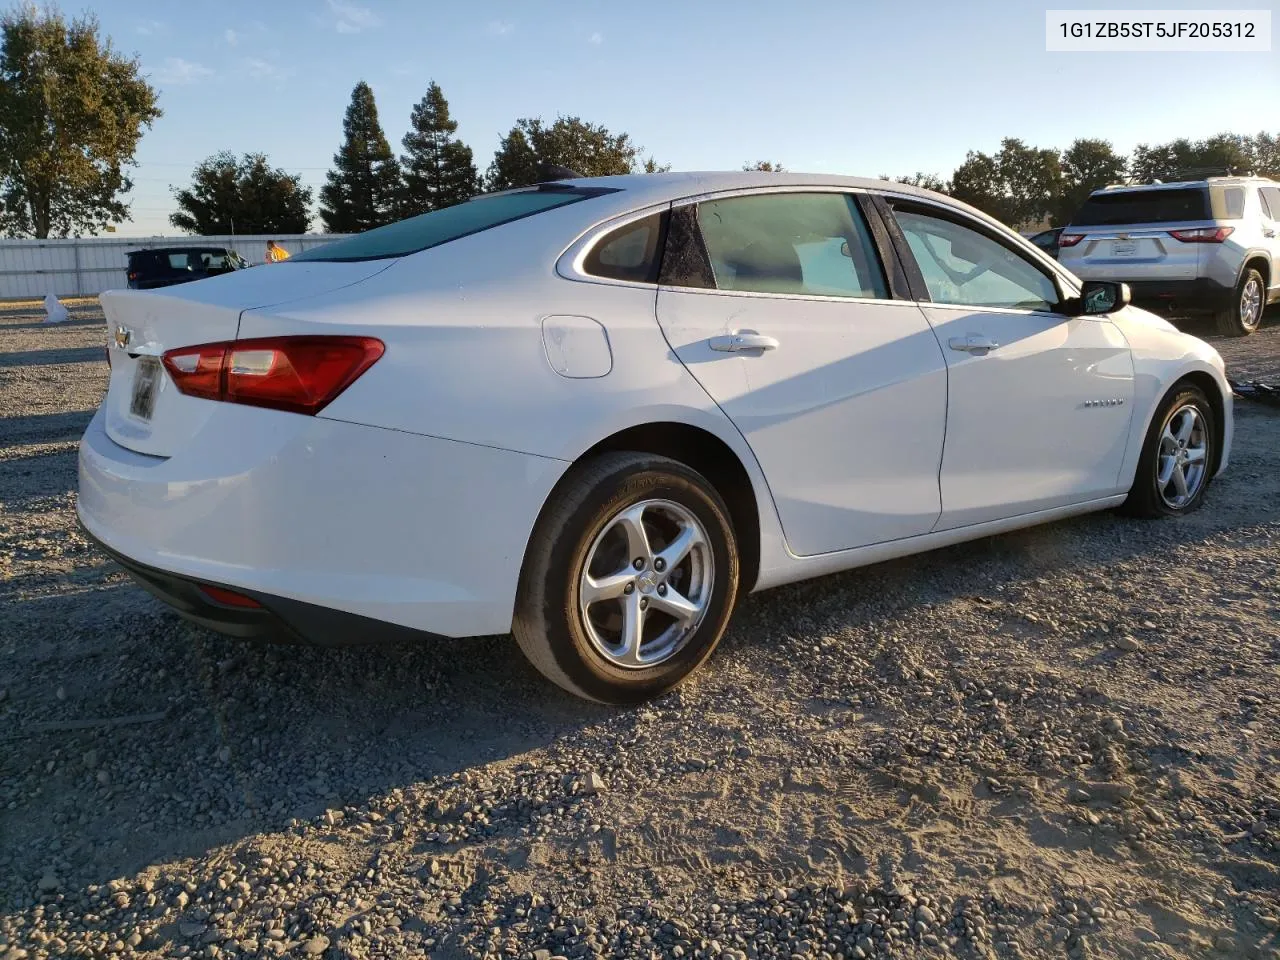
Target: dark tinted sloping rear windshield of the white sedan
{"x": 440, "y": 227}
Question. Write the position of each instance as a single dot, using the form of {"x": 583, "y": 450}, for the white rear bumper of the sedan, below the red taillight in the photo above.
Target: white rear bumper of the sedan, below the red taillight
{"x": 333, "y": 528}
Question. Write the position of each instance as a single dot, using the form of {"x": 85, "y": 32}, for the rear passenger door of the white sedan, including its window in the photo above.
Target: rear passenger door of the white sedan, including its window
{"x": 779, "y": 305}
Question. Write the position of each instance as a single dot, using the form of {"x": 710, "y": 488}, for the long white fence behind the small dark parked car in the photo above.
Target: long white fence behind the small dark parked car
{"x": 89, "y": 266}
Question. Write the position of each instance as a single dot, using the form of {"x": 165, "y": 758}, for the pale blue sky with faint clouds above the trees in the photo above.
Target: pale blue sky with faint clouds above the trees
{"x": 861, "y": 88}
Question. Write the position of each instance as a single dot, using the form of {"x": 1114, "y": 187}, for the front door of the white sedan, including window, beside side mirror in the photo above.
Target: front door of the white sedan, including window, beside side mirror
{"x": 1039, "y": 401}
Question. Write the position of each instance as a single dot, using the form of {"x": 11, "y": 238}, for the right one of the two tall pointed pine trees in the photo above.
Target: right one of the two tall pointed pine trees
{"x": 438, "y": 168}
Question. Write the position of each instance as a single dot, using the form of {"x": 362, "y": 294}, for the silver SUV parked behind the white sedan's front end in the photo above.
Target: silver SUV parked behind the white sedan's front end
{"x": 1201, "y": 248}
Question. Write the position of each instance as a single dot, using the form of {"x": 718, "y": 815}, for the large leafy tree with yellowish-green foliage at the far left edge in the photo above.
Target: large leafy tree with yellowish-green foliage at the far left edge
{"x": 72, "y": 112}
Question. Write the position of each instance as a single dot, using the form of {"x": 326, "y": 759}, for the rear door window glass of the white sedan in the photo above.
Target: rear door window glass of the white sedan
{"x": 794, "y": 244}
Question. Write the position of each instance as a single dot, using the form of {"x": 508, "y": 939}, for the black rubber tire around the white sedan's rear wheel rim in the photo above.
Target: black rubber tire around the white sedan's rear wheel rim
{"x": 548, "y": 623}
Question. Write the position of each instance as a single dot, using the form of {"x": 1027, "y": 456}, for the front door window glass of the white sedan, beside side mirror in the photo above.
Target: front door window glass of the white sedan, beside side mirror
{"x": 967, "y": 268}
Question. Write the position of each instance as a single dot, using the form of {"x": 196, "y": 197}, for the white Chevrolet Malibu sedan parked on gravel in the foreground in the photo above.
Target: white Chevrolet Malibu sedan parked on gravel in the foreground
{"x": 597, "y": 413}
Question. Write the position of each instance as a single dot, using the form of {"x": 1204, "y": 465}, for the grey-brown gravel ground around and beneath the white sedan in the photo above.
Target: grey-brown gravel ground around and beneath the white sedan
{"x": 1057, "y": 743}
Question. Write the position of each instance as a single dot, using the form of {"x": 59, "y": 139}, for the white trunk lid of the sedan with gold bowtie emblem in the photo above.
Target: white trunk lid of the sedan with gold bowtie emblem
{"x": 144, "y": 410}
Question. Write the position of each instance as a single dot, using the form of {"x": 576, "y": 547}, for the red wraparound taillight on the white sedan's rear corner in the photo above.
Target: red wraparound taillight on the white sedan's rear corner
{"x": 298, "y": 374}
